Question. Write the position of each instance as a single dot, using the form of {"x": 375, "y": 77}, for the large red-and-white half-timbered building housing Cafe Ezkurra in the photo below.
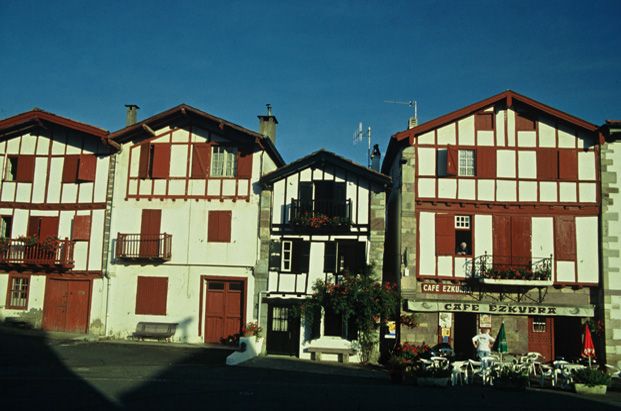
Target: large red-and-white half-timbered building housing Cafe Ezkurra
{"x": 494, "y": 218}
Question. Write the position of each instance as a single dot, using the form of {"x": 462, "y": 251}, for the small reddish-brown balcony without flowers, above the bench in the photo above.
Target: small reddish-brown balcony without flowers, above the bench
{"x": 155, "y": 247}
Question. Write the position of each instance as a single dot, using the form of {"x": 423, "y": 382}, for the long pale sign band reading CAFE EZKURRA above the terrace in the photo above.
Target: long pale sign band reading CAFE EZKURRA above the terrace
{"x": 500, "y": 308}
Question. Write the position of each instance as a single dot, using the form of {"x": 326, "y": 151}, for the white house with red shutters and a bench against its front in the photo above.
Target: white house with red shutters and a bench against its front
{"x": 185, "y": 223}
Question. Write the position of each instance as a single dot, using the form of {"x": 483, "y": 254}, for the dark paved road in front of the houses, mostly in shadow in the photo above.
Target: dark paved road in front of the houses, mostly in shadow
{"x": 43, "y": 373}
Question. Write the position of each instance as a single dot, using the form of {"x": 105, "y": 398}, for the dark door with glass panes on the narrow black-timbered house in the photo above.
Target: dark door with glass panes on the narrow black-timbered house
{"x": 283, "y": 333}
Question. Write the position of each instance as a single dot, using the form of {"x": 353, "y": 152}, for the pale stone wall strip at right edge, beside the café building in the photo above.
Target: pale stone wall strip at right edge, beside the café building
{"x": 610, "y": 248}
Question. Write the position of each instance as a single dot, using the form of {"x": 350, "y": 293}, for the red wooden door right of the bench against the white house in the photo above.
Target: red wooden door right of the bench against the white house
{"x": 223, "y": 309}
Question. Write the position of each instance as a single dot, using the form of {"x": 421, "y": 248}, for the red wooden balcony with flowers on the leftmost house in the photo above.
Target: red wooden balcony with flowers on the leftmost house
{"x": 28, "y": 252}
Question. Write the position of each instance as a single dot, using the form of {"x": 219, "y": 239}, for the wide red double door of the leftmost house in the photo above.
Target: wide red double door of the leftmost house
{"x": 66, "y": 305}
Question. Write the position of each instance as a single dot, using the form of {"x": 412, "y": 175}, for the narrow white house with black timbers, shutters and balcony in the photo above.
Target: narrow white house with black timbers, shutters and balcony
{"x": 322, "y": 216}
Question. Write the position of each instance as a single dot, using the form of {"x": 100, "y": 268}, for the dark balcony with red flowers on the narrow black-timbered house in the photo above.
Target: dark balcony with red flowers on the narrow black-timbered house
{"x": 321, "y": 214}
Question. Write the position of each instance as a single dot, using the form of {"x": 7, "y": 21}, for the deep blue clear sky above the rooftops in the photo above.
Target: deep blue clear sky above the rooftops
{"x": 323, "y": 65}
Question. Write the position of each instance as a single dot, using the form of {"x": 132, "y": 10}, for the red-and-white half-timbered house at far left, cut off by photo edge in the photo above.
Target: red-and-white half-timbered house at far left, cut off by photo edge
{"x": 53, "y": 196}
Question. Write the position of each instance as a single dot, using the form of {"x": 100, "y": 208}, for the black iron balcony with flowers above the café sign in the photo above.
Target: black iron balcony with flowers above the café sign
{"x": 512, "y": 271}
